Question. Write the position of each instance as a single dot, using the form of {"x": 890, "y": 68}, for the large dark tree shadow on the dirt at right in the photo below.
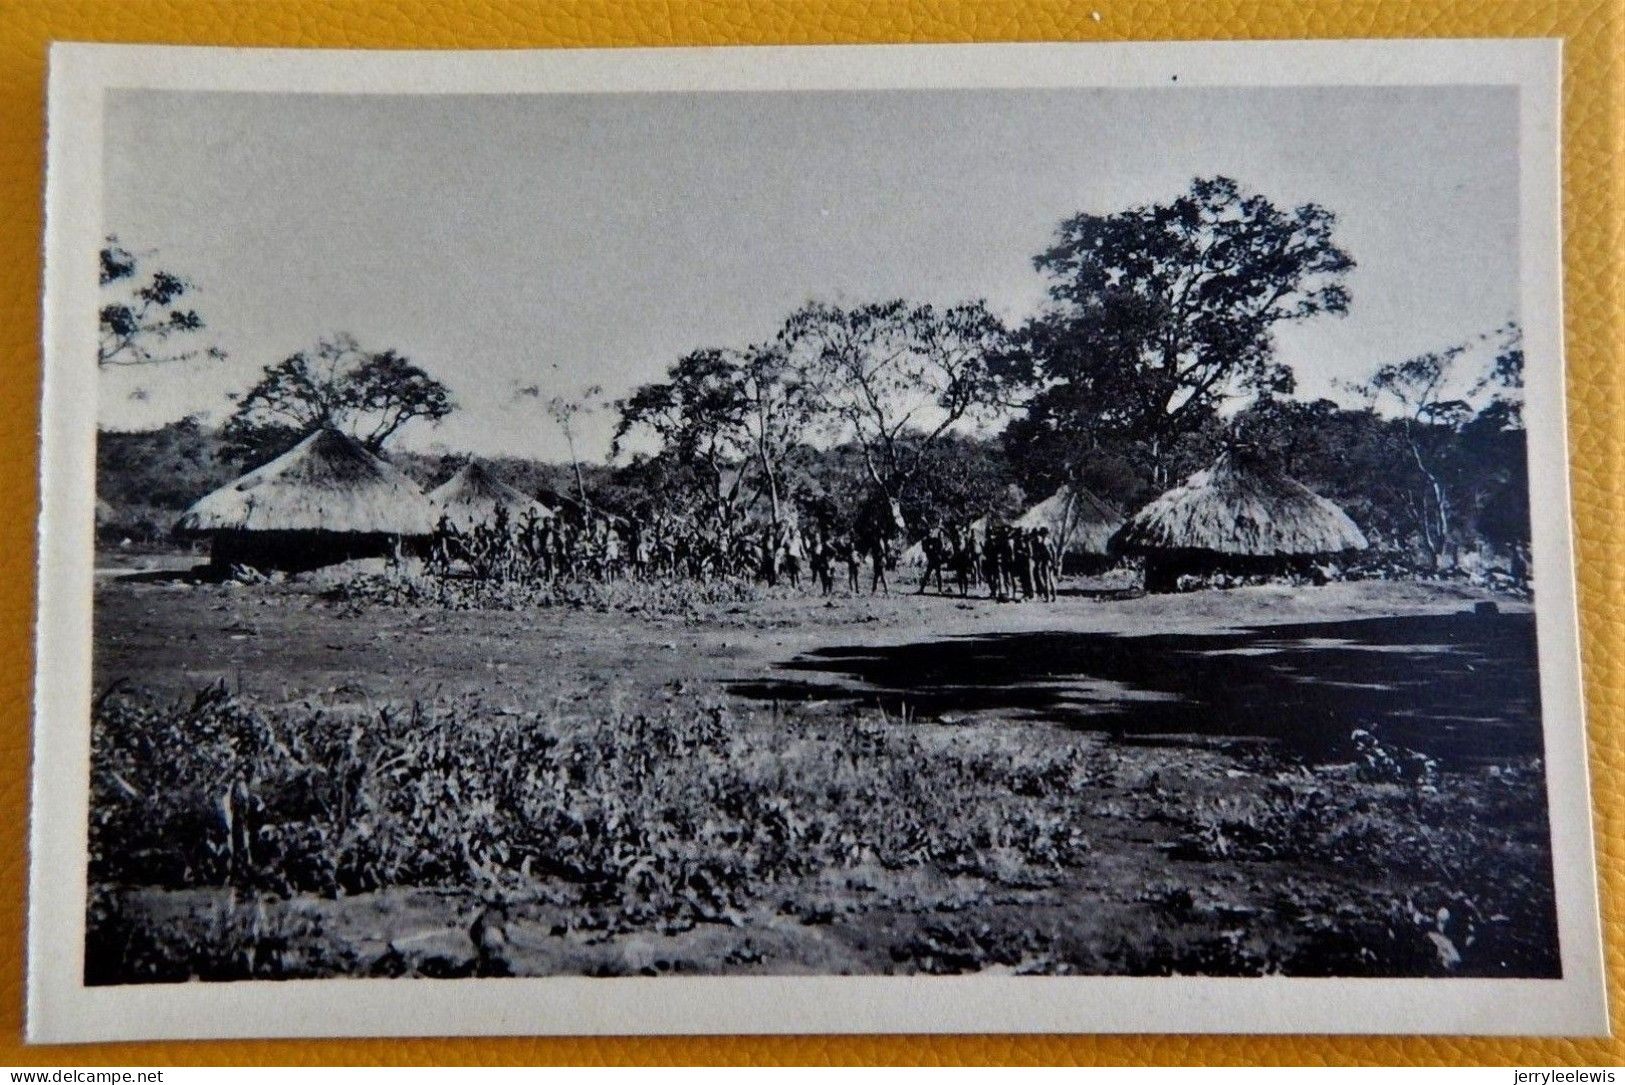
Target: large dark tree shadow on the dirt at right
{"x": 1462, "y": 688}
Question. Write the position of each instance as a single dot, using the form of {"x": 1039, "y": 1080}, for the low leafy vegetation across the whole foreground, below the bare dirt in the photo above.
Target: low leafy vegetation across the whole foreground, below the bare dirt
{"x": 698, "y": 815}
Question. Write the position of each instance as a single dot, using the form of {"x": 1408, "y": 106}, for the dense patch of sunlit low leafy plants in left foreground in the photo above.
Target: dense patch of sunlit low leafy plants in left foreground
{"x": 690, "y": 813}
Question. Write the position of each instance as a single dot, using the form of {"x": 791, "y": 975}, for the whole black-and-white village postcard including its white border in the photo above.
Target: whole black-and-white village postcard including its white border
{"x": 1028, "y": 538}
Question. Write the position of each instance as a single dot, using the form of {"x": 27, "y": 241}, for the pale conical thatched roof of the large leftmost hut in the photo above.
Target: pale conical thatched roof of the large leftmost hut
{"x": 326, "y": 483}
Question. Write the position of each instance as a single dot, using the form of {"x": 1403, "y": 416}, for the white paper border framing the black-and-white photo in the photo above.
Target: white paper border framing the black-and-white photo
{"x": 61, "y": 1009}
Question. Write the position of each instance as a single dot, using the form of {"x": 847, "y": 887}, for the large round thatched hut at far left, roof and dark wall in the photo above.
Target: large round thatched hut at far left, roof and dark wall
{"x": 324, "y": 501}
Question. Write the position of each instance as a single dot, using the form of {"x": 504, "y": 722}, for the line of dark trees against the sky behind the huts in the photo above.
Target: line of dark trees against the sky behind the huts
{"x": 1153, "y": 352}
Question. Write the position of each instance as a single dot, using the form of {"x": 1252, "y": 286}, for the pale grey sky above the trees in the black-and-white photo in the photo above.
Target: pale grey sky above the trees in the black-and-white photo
{"x": 561, "y": 241}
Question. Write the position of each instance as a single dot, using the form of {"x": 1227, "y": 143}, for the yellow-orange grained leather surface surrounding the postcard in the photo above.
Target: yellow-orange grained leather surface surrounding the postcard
{"x": 1593, "y": 246}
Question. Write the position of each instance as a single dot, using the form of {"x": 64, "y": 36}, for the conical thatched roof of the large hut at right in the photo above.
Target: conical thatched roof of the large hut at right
{"x": 1241, "y": 509}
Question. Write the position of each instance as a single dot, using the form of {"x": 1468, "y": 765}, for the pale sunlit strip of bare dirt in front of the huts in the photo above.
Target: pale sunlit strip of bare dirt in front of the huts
{"x": 282, "y": 644}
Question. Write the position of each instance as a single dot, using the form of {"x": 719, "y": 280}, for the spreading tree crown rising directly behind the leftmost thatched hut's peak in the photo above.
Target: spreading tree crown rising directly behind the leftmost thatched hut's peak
{"x": 368, "y": 396}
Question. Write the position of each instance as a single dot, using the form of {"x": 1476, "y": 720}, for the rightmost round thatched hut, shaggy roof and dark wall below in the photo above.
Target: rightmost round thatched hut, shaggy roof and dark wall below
{"x": 1237, "y": 517}
